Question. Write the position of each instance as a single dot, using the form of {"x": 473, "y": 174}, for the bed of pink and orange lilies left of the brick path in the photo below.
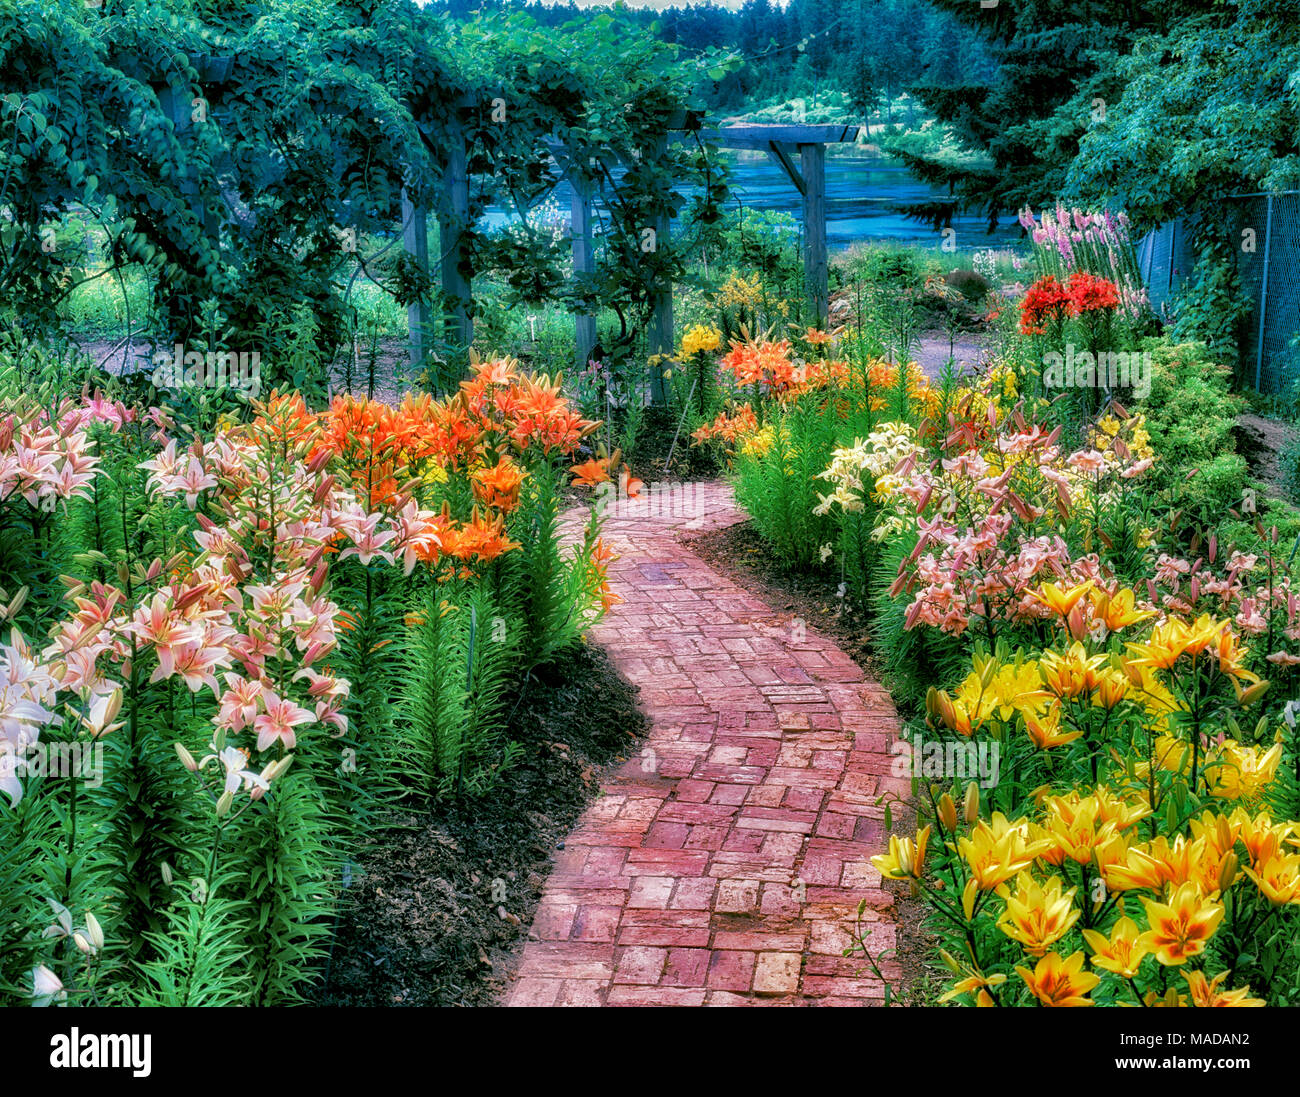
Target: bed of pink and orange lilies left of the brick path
{"x": 229, "y": 649}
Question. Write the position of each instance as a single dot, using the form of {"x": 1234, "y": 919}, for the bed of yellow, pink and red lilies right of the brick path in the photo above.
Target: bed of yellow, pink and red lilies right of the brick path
{"x": 1100, "y": 662}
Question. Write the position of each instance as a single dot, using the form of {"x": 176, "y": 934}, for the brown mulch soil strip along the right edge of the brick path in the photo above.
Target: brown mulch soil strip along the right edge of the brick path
{"x": 742, "y": 554}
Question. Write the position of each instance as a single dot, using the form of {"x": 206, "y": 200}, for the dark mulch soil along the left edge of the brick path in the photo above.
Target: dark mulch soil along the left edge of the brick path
{"x": 441, "y": 904}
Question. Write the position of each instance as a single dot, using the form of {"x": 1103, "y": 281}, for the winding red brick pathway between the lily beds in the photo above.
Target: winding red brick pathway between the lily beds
{"x": 725, "y": 864}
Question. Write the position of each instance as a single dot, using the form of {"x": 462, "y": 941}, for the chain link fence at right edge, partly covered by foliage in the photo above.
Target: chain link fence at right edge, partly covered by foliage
{"x": 1267, "y": 235}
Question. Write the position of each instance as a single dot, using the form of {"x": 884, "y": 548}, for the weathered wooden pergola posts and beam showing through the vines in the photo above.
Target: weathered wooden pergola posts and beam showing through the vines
{"x": 798, "y": 149}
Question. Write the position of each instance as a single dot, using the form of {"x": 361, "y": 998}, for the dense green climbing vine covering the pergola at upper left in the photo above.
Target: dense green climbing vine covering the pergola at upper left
{"x": 248, "y": 159}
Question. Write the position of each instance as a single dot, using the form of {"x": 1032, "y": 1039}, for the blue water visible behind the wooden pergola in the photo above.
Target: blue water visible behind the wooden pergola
{"x": 863, "y": 200}
